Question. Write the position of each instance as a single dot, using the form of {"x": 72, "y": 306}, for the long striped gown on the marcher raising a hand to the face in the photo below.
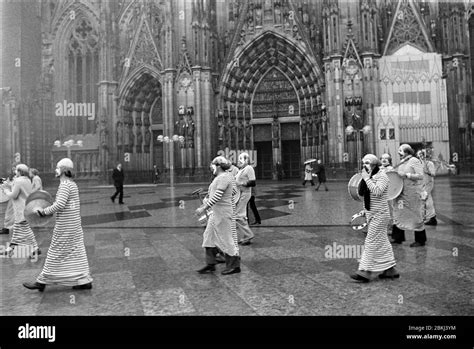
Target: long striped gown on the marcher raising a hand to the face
{"x": 378, "y": 254}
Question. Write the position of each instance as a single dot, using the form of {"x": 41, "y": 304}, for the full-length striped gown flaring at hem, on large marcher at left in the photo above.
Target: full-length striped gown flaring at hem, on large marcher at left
{"x": 66, "y": 262}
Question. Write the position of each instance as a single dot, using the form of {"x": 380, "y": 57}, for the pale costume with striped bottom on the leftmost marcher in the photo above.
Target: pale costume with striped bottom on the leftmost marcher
{"x": 22, "y": 233}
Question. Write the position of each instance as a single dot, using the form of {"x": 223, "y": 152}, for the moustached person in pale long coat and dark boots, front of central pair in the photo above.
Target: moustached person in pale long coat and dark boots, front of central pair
{"x": 220, "y": 233}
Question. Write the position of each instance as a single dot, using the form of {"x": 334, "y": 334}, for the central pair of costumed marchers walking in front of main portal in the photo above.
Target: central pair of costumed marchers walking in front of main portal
{"x": 227, "y": 225}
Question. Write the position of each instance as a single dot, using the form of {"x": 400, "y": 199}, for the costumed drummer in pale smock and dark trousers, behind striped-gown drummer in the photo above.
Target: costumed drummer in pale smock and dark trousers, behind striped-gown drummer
{"x": 408, "y": 208}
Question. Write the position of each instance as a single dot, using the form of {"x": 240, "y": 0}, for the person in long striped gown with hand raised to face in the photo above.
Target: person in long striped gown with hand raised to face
{"x": 378, "y": 253}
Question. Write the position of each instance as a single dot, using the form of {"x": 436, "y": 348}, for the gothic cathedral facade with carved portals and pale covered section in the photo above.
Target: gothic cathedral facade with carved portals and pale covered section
{"x": 173, "y": 83}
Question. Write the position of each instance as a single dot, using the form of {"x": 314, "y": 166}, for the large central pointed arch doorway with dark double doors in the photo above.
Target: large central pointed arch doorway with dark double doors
{"x": 271, "y": 100}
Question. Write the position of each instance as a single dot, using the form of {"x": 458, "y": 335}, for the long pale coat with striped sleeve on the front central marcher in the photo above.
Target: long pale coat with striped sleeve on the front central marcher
{"x": 220, "y": 230}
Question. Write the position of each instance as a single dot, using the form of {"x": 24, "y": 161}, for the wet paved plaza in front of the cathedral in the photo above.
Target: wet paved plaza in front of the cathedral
{"x": 144, "y": 256}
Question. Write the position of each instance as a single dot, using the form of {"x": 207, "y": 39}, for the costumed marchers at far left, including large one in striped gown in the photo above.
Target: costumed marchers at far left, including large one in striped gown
{"x": 66, "y": 262}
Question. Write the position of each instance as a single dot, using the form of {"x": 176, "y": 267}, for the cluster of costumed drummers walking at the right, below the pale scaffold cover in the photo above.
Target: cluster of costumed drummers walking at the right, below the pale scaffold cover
{"x": 411, "y": 210}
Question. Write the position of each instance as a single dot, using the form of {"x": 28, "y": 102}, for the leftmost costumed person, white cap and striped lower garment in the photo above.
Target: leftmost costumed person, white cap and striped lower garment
{"x": 18, "y": 192}
